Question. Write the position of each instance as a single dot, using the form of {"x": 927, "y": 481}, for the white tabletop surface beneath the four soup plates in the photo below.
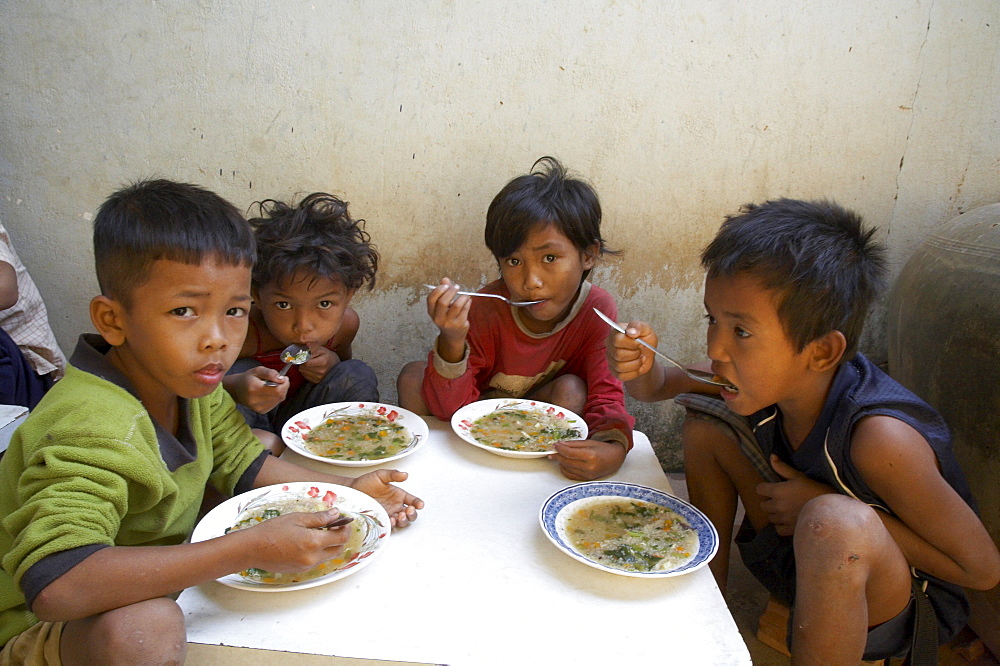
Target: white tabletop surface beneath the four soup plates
{"x": 475, "y": 581}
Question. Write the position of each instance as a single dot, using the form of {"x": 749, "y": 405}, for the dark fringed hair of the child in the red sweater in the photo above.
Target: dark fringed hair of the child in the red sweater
{"x": 547, "y": 195}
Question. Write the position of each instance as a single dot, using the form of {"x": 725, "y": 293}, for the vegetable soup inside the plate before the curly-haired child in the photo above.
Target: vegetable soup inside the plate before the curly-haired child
{"x": 357, "y": 437}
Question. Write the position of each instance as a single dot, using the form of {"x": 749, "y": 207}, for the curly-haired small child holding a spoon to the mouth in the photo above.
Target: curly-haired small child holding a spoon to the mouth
{"x": 311, "y": 259}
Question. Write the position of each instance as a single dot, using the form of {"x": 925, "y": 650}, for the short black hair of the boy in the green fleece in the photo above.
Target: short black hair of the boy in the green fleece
{"x": 161, "y": 219}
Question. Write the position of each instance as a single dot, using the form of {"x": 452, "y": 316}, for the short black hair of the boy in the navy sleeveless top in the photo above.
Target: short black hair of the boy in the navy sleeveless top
{"x": 826, "y": 267}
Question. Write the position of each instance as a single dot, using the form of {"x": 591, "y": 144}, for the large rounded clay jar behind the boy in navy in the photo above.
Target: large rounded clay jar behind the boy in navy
{"x": 944, "y": 345}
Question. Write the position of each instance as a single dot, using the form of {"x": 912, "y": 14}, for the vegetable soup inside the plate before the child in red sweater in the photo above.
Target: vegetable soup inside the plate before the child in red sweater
{"x": 521, "y": 430}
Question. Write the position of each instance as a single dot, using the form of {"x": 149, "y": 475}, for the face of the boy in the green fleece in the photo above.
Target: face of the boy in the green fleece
{"x": 183, "y": 329}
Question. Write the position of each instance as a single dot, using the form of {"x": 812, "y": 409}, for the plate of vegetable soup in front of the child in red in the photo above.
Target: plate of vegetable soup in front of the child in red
{"x": 517, "y": 428}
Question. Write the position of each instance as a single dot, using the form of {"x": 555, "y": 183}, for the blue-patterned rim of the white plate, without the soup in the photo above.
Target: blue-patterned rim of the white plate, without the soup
{"x": 562, "y": 504}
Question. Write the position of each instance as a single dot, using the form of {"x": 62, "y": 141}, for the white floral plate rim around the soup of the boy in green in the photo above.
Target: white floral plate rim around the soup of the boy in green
{"x": 369, "y": 517}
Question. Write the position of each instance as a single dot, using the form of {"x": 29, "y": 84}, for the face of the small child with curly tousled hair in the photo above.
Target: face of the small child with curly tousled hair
{"x": 305, "y": 309}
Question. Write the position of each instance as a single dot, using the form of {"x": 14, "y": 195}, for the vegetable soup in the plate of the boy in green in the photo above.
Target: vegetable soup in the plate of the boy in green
{"x": 272, "y": 507}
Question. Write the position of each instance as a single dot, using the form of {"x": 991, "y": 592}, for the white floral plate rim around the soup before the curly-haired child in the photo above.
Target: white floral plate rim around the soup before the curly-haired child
{"x": 302, "y": 423}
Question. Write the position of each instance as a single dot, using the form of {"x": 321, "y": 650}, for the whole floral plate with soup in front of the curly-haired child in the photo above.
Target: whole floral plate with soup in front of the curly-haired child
{"x": 355, "y": 434}
